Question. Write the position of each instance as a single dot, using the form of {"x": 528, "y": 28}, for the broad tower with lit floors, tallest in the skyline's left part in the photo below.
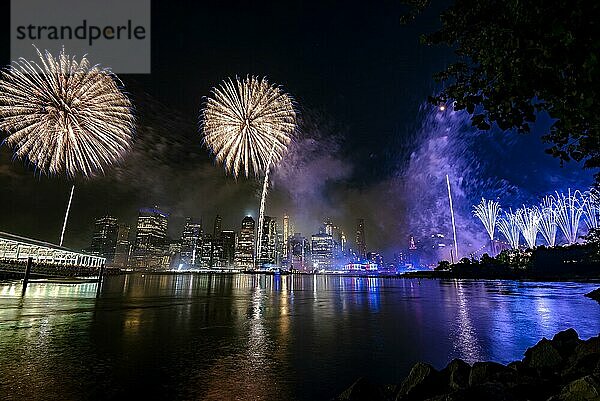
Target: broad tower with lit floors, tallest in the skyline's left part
{"x": 151, "y": 244}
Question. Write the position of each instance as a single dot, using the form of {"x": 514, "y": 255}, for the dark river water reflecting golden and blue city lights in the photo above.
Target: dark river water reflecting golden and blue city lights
{"x": 246, "y": 337}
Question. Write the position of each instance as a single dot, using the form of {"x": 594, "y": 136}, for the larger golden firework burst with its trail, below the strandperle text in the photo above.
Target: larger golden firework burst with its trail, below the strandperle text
{"x": 64, "y": 116}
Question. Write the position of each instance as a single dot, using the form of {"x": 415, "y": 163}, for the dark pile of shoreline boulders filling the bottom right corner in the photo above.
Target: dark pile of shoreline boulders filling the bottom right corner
{"x": 565, "y": 368}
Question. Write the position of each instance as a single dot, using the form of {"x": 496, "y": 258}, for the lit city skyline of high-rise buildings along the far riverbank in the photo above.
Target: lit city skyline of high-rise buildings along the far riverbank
{"x": 216, "y": 247}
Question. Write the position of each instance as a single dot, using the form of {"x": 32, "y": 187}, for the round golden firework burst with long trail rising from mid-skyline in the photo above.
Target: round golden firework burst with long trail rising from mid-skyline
{"x": 248, "y": 125}
